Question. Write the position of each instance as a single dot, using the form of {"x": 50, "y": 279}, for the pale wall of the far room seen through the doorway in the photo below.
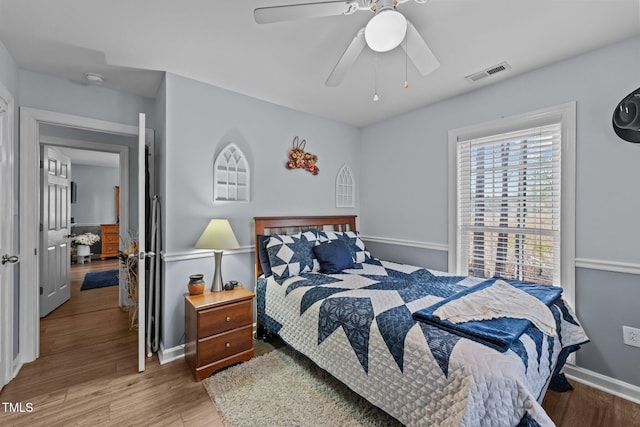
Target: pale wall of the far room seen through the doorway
{"x": 96, "y": 202}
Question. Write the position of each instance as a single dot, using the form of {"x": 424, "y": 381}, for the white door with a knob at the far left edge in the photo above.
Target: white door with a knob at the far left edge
{"x": 6, "y": 236}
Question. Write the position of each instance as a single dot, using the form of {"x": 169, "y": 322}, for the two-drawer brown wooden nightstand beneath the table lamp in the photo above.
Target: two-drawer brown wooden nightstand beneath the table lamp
{"x": 218, "y": 330}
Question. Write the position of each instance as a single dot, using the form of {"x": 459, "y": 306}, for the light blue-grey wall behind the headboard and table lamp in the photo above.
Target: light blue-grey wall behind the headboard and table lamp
{"x": 200, "y": 121}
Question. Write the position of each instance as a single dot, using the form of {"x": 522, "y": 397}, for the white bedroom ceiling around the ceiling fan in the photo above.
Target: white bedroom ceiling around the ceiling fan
{"x": 218, "y": 42}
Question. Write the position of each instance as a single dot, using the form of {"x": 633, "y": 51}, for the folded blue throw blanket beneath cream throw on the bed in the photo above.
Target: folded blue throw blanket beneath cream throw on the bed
{"x": 499, "y": 333}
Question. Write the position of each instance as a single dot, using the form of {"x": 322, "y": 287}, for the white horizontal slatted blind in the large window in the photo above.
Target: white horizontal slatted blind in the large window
{"x": 509, "y": 204}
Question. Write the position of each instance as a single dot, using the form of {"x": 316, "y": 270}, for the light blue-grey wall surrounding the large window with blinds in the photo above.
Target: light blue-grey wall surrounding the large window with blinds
{"x": 414, "y": 192}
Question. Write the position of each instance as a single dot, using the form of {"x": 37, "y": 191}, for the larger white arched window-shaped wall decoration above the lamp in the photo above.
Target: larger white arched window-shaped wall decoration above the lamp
{"x": 231, "y": 176}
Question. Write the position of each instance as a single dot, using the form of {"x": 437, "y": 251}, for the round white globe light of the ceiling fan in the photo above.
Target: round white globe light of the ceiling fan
{"x": 386, "y": 30}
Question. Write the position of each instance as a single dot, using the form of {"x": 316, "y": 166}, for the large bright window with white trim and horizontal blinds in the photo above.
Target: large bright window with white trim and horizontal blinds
{"x": 513, "y": 195}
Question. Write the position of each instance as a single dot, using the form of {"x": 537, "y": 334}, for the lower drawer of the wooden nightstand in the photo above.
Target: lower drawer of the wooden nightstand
{"x": 224, "y": 345}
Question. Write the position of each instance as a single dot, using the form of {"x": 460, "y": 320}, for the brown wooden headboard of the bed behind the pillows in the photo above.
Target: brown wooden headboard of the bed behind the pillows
{"x": 267, "y": 225}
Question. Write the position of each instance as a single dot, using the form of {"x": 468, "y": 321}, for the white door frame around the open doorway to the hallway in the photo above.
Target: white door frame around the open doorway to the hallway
{"x": 30, "y": 120}
